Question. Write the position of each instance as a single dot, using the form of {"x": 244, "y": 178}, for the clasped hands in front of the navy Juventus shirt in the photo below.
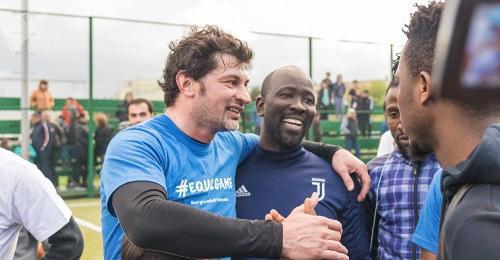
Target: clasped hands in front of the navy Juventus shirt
{"x": 307, "y": 236}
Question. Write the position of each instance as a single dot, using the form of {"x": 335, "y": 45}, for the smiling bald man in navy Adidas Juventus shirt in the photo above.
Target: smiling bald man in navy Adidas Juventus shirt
{"x": 280, "y": 173}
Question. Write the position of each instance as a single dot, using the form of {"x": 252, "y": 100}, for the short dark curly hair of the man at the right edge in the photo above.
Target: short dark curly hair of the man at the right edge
{"x": 421, "y": 34}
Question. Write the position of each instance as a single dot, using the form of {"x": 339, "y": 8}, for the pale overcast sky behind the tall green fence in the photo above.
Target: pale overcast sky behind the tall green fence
{"x": 126, "y": 51}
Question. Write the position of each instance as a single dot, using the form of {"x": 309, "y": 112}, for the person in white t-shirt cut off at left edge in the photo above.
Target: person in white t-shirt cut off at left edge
{"x": 29, "y": 200}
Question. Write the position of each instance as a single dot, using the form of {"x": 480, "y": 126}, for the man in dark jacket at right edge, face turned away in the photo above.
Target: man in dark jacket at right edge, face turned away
{"x": 465, "y": 137}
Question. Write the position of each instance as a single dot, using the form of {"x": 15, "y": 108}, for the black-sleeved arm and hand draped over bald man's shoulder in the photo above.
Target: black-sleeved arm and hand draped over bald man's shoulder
{"x": 344, "y": 163}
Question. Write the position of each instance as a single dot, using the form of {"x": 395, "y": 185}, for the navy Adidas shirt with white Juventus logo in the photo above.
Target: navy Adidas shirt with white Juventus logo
{"x": 269, "y": 180}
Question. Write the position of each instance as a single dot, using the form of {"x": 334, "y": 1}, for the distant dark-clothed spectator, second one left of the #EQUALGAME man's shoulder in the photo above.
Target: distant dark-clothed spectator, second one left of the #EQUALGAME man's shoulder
{"x": 78, "y": 151}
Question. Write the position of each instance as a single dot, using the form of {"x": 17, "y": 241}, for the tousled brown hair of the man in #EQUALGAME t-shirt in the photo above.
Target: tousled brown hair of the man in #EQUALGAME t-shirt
{"x": 195, "y": 54}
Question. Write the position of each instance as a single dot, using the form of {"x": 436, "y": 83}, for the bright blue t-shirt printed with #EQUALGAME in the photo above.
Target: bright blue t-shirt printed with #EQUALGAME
{"x": 193, "y": 173}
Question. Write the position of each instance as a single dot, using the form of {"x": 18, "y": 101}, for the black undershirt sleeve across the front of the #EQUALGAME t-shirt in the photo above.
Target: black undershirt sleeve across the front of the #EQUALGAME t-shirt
{"x": 152, "y": 222}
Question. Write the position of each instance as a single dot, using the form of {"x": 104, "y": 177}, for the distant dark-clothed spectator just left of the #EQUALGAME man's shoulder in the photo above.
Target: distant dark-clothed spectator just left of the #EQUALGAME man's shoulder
{"x": 102, "y": 136}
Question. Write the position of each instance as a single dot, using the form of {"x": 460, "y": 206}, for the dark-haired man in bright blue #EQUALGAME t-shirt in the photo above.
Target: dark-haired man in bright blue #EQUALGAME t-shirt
{"x": 168, "y": 183}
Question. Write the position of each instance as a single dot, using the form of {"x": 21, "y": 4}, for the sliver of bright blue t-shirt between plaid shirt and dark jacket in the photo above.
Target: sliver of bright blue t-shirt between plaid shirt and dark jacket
{"x": 426, "y": 234}
